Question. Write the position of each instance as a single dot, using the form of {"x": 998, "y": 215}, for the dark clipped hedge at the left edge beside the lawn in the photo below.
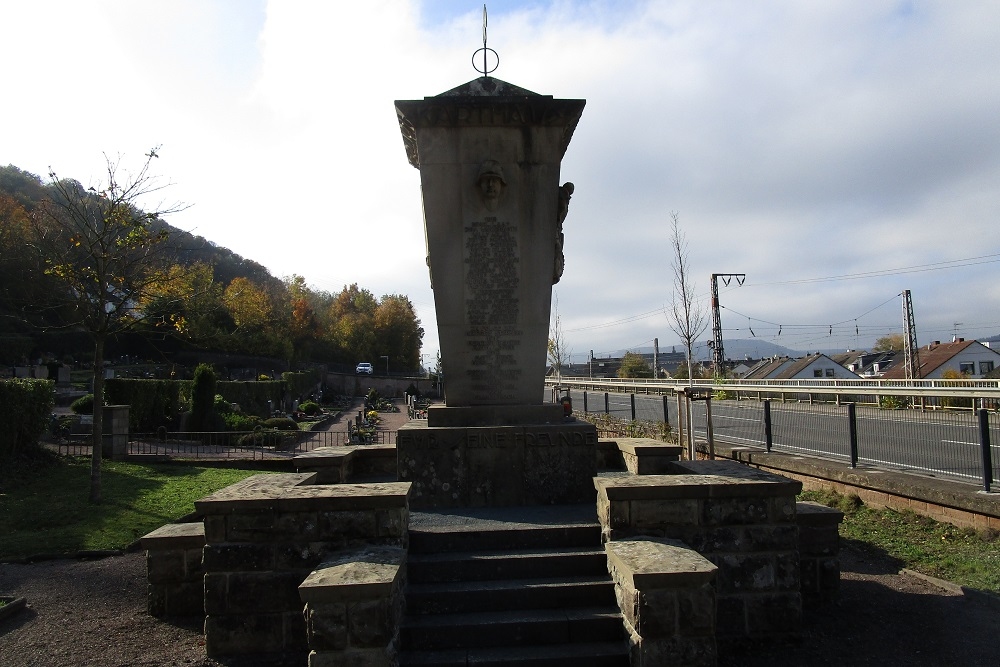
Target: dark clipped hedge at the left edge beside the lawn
{"x": 25, "y": 410}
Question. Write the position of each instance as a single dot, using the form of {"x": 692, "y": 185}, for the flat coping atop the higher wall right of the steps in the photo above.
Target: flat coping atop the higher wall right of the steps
{"x": 654, "y": 487}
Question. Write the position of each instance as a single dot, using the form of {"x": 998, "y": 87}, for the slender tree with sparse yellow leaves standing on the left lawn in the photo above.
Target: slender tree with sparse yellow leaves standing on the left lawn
{"x": 104, "y": 251}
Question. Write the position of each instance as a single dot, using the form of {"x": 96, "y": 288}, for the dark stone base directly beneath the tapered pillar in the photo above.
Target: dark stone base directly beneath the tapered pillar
{"x": 497, "y": 457}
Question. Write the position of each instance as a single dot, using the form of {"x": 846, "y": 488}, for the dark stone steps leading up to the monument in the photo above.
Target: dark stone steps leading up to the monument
{"x": 511, "y": 586}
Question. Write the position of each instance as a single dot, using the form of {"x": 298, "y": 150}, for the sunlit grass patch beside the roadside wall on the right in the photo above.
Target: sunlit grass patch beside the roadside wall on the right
{"x": 959, "y": 555}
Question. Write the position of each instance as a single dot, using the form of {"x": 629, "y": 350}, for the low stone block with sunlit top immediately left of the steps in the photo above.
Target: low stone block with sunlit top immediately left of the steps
{"x": 353, "y": 607}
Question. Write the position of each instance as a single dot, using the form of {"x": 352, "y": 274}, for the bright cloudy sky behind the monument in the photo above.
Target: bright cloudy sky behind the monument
{"x": 835, "y": 152}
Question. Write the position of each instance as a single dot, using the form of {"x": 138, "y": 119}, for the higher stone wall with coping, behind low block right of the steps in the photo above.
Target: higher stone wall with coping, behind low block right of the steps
{"x": 739, "y": 518}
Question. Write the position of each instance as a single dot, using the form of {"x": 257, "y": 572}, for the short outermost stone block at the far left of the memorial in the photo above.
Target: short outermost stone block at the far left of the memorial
{"x": 173, "y": 570}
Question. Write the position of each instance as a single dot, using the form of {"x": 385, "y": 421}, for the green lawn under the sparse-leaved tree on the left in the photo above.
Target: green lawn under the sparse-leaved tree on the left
{"x": 44, "y": 508}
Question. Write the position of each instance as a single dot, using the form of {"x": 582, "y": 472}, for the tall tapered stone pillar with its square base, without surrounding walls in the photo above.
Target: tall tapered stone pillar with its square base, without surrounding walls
{"x": 489, "y": 156}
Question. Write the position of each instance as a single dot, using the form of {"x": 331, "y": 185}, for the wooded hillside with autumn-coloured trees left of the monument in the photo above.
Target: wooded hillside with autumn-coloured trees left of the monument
{"x": 196, "y": 296}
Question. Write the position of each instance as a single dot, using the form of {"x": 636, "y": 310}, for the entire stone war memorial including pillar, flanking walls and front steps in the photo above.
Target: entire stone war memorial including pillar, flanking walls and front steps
{"x": 500, "y": 530}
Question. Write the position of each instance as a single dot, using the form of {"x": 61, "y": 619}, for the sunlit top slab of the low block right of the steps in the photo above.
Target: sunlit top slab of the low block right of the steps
{"x": 650, "y": 563}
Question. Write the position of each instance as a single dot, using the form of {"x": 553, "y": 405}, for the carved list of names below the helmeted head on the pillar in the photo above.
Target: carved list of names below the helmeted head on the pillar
{"x": 492, "y": 302}
